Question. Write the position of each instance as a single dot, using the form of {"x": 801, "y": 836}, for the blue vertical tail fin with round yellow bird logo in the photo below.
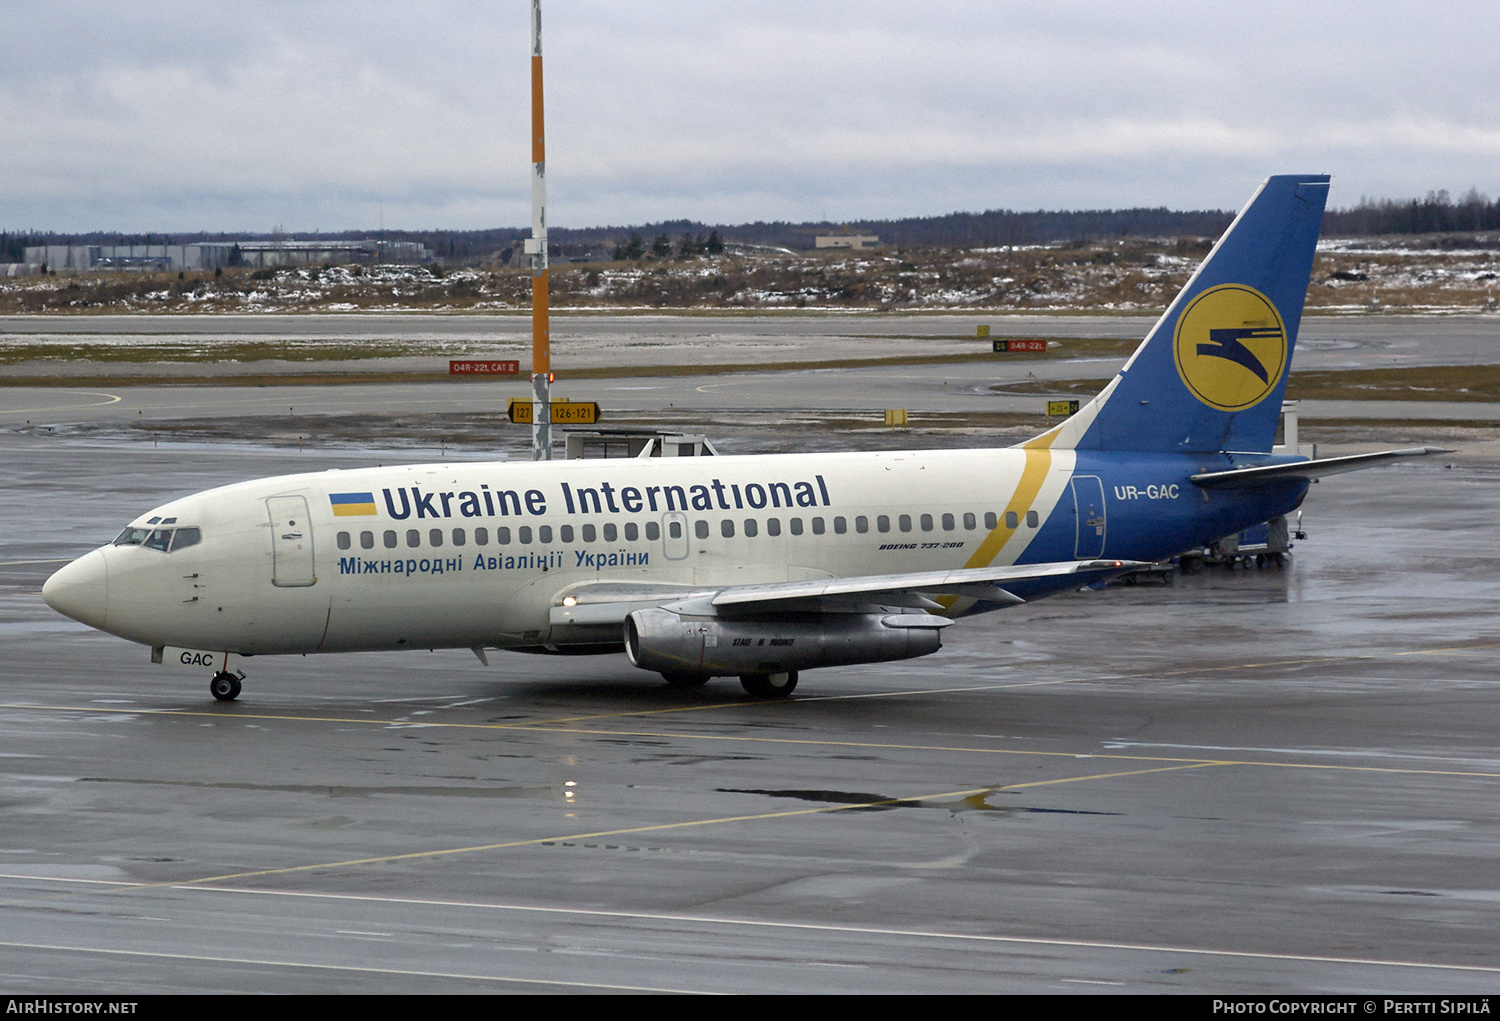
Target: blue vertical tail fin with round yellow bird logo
{"x": 1213, "y": 373}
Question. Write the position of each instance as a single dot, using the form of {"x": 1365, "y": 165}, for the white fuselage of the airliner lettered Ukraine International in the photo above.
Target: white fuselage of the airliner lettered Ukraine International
{"x": 476, "y": 555}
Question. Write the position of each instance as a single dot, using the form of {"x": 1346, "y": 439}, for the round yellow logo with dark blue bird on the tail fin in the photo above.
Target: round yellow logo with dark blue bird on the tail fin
{"x": 1231, "y": 347}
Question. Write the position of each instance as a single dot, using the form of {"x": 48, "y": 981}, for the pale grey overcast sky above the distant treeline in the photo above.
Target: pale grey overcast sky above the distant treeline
{"x": 175, "y": 116}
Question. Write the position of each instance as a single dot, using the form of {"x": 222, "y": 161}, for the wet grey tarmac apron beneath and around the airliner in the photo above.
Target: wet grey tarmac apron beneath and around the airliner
{"x": 1249, "y": 782}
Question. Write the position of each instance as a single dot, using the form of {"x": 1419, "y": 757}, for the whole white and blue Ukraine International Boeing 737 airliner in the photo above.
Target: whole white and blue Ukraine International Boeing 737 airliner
{"x": 758, "y": 566}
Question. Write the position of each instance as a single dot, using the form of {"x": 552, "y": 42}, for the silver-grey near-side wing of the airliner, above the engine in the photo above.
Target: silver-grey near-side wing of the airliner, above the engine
{"x": 598, "y": 603}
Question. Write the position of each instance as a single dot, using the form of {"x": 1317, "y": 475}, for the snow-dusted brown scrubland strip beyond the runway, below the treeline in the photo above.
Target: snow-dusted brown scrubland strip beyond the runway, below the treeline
{"x": 1123, "y": 277}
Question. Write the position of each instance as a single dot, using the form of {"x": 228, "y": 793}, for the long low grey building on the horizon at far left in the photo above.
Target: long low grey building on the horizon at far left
{"x": 212, "y": 256}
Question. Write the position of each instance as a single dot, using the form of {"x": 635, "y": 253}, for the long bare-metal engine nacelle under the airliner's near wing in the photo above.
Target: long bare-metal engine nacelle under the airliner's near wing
{"x": 671, "y": 642}
